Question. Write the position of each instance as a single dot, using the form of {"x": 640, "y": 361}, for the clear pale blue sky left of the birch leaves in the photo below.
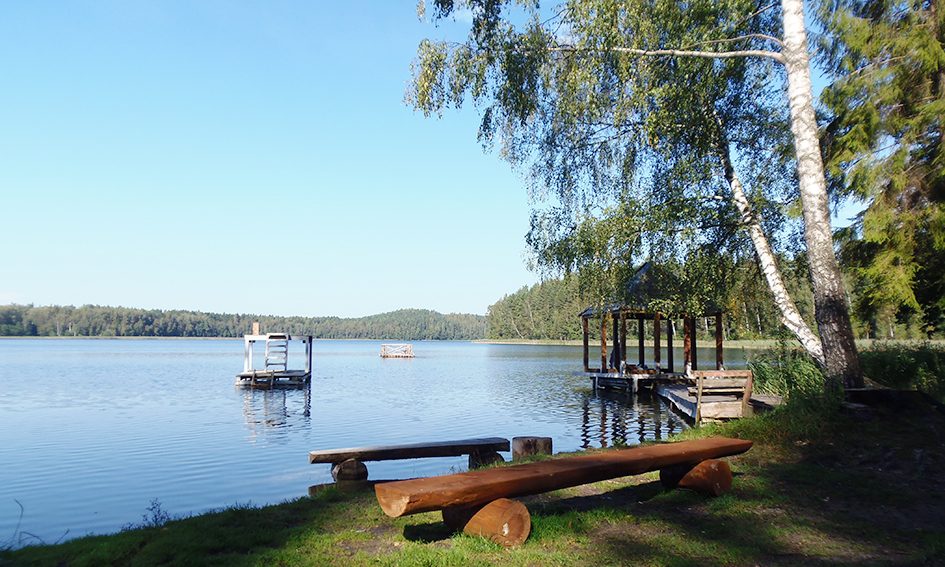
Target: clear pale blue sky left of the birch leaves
{"x": 245, "y": 156}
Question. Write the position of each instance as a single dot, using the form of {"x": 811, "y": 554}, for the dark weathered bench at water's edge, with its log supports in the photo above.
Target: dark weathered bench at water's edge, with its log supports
{"x": 348, "y": 464}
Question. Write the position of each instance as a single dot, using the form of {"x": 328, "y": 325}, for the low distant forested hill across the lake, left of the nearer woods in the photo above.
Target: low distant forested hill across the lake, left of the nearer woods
{"x": 98, "y": 321}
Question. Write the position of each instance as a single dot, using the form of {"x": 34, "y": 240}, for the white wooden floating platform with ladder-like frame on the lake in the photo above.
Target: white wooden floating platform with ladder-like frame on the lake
{"x": 276, "y": 371}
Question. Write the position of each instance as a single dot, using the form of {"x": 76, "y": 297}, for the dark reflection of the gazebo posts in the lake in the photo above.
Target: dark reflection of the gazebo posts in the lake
{"x": 617, "y": 418}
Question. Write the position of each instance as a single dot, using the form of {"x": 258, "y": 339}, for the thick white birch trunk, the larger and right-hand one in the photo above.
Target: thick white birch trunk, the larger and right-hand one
{"x": 830, "y": 303}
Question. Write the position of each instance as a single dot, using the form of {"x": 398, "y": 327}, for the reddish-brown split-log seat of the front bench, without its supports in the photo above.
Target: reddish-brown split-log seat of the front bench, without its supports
{"x": 400, "y": 498}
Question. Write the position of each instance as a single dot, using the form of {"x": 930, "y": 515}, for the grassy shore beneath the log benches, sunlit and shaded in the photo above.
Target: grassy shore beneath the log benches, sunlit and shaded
{"x": 817, "y": 488}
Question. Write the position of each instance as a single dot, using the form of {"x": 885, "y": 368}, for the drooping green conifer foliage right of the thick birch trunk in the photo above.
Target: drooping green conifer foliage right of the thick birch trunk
{"x": 885, "y": 149}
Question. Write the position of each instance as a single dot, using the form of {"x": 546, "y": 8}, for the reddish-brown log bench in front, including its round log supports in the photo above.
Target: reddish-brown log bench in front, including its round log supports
{"x": 478, "y": 501}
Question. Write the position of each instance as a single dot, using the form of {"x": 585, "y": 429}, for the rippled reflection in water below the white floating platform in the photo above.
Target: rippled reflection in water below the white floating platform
{"x": 269, "y": 413}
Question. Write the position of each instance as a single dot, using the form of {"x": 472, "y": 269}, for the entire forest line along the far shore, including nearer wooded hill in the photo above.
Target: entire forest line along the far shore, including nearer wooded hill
{"x": 549, "y": 310}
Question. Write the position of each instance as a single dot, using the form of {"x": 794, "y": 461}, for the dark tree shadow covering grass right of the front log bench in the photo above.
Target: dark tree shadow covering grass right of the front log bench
{"x": 871, "y": 494}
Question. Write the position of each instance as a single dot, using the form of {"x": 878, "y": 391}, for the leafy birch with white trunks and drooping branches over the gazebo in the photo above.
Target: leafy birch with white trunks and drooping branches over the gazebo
{"x": 672, "y": 122}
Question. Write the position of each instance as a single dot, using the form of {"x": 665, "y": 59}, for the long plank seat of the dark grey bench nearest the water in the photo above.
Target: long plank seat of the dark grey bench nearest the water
{"x": 411, "y": 450}
